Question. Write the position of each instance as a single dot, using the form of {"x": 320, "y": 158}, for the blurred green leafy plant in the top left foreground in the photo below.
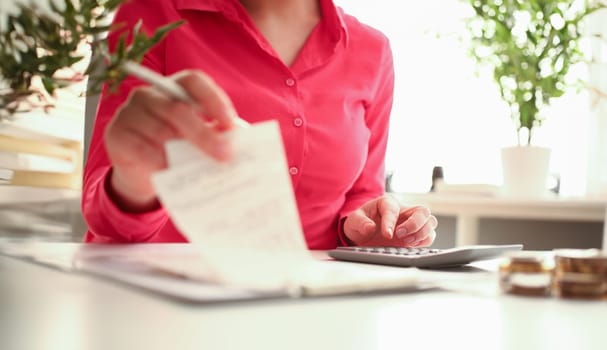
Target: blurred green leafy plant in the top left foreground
{"x": 41, "y": 45}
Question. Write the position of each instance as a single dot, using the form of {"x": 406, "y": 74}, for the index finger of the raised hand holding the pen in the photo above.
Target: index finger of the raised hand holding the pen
{"x": 209, "y": 97}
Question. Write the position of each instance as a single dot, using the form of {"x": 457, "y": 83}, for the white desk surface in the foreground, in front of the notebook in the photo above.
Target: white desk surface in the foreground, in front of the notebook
{"x": 42, "y": 308}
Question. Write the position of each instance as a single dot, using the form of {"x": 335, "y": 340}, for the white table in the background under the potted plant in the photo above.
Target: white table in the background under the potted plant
{"x": 468, "y": 210}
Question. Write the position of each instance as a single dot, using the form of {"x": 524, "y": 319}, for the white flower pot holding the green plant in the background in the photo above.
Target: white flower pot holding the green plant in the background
{"x": 525, "y": 171}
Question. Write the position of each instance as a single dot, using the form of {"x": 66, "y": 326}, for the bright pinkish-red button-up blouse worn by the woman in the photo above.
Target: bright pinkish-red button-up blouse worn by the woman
{"x": 333, "y": 105}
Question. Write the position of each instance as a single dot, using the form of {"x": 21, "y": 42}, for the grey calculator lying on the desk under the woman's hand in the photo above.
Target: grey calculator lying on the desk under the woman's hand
{"x": 422, "y": 257}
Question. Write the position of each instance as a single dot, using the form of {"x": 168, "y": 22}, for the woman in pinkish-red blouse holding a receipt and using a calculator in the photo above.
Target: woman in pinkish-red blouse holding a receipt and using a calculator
{"x": 325, "y": 77}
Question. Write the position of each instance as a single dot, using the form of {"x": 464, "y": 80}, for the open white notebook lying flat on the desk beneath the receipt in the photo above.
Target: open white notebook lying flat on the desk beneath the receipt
{"x": 175, "y": 270}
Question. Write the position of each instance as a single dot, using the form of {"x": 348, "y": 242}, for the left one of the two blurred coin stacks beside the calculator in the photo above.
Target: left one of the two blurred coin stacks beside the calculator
{"x": 527, "y": 273}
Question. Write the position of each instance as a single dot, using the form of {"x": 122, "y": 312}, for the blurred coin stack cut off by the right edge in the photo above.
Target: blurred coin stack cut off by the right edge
{"x": 580, "y": 273}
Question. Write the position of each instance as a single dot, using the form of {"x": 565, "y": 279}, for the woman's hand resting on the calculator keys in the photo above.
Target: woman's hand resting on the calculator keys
{"x": 385, "y": 222}
